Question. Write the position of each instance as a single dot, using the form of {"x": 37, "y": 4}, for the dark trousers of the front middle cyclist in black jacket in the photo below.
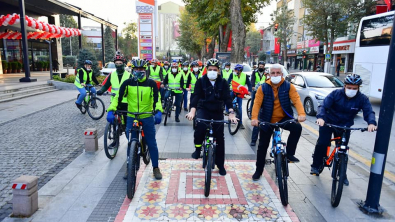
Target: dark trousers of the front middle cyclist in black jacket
{"x": 218, "y": 131}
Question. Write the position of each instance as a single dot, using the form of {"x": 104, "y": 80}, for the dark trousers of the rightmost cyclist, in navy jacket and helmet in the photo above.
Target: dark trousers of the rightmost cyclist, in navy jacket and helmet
{"x": 324, "y": 140}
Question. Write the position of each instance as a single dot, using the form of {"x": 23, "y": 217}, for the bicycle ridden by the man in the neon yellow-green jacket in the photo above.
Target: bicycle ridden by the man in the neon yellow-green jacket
{"x": 136, "y": 149}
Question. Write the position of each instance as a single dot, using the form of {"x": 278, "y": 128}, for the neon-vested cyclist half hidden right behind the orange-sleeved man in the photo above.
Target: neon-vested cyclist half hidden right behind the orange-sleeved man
{"x": 257, "y": 78}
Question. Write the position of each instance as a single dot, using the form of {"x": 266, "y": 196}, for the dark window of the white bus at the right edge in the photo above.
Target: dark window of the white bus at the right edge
{"x": 376, "y": 31}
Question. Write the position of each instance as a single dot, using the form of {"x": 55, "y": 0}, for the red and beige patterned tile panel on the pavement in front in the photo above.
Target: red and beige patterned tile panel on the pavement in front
{"x": 180, "y": 195}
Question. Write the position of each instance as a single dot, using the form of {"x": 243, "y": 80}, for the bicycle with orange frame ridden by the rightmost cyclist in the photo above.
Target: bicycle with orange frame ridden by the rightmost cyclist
{"x": 338, "y": 159}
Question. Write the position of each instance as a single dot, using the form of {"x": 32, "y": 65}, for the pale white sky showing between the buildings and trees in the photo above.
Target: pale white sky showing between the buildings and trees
{"x": 121, "y": 11}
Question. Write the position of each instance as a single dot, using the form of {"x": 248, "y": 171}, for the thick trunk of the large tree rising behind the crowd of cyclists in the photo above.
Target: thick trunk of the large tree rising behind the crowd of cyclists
{"x": 238, "y": 32}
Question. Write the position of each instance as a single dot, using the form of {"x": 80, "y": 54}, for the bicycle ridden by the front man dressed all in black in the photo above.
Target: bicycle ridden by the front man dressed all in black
{"x": 209, "y": 145}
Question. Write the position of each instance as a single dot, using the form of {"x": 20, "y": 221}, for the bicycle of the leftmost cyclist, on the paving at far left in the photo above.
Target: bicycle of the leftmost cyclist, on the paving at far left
{"x": 92, "y": 104}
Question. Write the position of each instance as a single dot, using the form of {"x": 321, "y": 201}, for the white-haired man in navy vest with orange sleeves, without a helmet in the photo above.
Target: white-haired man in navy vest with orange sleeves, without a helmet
{"x": 273, "y": 104}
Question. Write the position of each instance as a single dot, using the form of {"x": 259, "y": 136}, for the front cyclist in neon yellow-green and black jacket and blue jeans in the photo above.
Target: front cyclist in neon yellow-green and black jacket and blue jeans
{"x": 142, "y": 96}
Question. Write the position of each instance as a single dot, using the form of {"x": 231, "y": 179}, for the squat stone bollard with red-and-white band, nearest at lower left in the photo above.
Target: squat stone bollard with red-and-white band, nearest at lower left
{"x": 25, "y": 196}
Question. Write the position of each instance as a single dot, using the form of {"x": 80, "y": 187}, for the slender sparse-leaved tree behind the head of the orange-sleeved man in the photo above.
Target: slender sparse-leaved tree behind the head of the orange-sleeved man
{"x": 284, "y": 18}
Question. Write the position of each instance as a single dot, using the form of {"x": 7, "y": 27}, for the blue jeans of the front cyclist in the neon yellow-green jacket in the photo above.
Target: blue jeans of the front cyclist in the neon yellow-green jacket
{"x": 149, "y": 135}
